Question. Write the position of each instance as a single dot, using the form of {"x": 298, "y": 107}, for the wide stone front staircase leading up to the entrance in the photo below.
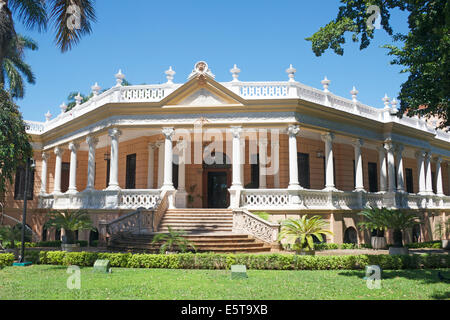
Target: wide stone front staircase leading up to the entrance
{"x": 210, "y": 230}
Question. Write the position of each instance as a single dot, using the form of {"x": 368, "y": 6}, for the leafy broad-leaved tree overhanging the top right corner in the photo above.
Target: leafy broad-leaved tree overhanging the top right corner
{"x": 424, "y": 54}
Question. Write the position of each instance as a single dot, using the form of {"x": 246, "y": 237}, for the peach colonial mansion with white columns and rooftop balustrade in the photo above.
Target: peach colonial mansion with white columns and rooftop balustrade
{"x": 208, "y": 157}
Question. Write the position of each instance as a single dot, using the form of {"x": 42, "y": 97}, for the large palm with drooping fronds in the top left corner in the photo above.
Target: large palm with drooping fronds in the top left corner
{"x": 38, "y": 14}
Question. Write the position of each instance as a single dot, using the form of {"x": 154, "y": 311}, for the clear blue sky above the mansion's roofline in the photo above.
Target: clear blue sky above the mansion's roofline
{"x": 144, "y": 38}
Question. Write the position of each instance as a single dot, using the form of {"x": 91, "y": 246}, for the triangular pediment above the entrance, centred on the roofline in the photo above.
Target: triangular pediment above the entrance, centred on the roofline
{"x": 203, "y": 91}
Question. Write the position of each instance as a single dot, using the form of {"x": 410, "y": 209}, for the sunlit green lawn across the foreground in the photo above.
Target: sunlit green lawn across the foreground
{"x": 49, "y": 282}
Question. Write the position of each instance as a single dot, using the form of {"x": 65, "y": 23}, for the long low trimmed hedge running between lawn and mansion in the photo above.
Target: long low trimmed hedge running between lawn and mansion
{"x": 273, "y": 261}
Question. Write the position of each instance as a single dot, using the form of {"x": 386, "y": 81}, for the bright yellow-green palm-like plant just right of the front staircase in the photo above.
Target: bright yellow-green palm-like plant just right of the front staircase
{"x": 301, "y": 233}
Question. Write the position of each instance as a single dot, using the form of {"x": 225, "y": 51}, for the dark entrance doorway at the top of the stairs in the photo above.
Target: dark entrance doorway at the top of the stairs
{"x": 217, "y": 183}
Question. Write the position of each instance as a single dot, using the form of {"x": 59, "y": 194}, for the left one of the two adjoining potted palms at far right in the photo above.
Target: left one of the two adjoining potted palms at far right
{"x": 373, "y": 222}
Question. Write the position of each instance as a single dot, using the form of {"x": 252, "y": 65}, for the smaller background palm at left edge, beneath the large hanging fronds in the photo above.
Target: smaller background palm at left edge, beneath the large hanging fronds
{"x": 14, "y": 66}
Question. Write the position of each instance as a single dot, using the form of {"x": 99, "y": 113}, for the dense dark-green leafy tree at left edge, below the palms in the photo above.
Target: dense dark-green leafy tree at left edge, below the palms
{"x": 15, "y": 147}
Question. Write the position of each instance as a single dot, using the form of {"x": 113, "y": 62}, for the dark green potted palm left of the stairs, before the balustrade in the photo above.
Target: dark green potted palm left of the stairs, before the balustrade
{"x": 70, "y": 222}
